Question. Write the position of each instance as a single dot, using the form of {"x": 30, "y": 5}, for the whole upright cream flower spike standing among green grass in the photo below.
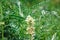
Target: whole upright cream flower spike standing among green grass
{"x": 30, "y": 29}
